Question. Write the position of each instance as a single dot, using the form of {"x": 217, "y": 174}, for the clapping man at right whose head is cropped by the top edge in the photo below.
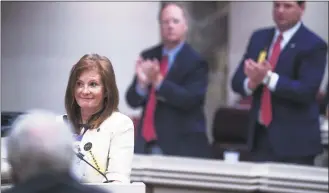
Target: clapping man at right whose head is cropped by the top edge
{"x": 284, "y": 118}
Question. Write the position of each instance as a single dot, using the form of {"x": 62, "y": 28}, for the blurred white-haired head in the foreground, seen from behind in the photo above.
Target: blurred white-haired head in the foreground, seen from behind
{"x": 39, "y": 143}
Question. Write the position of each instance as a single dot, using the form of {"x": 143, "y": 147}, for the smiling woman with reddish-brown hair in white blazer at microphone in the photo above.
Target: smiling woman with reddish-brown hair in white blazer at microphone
{"x": 104, "y": 136}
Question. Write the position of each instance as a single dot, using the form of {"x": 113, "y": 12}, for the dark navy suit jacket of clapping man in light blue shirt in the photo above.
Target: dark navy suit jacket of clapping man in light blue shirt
{"x": 180, "y": 100}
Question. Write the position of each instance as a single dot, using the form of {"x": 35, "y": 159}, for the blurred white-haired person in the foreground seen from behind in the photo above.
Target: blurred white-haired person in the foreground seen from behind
{"x": 40, "y": 154}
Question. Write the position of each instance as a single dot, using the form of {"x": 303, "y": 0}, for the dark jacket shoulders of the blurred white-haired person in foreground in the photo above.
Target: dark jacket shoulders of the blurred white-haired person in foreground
{"x": 50, "y": 183}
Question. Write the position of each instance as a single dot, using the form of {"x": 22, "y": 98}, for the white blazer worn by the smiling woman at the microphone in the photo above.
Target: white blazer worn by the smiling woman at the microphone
{"x": 112, "y": 149}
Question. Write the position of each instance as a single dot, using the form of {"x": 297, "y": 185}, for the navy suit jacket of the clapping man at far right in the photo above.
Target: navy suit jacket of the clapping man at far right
{"x": 294, "y": 130}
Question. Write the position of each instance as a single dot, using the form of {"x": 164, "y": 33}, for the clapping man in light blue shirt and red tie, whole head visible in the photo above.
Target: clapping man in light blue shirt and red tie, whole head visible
{"x": 170, "y": 85}
